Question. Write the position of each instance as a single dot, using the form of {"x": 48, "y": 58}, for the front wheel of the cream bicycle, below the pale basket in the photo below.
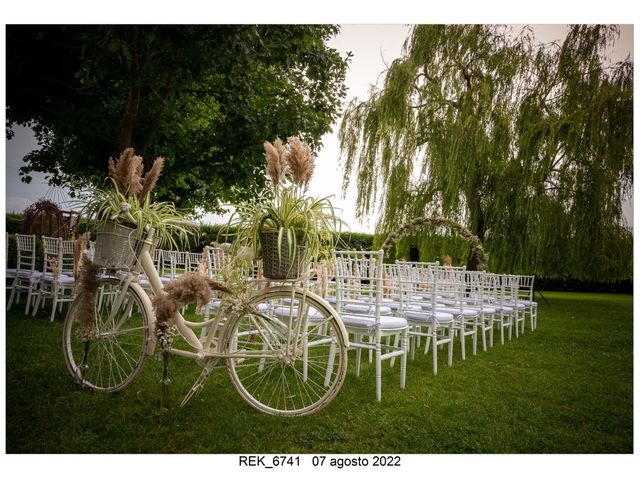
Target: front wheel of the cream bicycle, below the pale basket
{"x": 105, "y": 351}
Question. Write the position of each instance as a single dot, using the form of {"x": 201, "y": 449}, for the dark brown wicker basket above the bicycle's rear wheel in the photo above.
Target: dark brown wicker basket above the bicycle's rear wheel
{"x": 280, "y": 265}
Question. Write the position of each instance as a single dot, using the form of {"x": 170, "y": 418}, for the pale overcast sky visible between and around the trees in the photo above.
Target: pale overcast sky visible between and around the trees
{"x": 373, "y": 47}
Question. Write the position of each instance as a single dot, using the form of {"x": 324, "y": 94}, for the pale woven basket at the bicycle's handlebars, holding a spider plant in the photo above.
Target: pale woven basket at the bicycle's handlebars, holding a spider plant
{"x": 116, "y": 247}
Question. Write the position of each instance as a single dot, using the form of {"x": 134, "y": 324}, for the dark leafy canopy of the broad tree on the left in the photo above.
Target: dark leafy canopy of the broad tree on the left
{"x": 203, "y": 97}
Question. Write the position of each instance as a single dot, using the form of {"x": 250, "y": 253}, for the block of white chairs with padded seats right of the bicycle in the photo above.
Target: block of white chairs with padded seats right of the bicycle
{"x": 407, "y": 302}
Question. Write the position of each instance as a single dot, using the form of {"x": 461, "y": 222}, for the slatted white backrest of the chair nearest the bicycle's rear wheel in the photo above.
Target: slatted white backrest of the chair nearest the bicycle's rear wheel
{"x": 359, "y": 278}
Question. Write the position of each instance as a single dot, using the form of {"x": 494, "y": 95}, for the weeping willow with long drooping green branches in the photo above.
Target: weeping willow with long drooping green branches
{"x": 529, "y": 145}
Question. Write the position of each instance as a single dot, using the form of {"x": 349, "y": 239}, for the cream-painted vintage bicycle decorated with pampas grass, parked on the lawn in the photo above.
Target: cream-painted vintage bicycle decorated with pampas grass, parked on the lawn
{"x": 285, "y": 348}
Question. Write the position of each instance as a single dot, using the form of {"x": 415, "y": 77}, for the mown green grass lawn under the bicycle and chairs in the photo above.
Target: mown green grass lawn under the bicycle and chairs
{"x": 565, "y": 388}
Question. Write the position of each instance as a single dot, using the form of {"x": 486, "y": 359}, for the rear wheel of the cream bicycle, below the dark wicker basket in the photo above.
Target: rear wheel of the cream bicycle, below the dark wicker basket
{"x": 288, "y": 353}
